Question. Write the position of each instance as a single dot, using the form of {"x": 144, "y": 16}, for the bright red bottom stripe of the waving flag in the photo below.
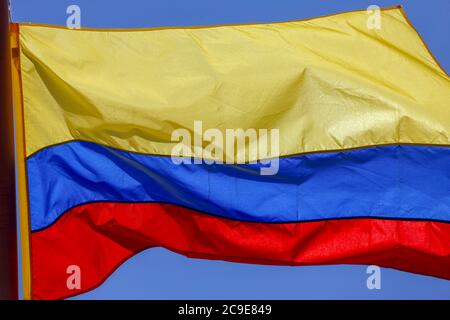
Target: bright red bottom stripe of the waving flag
{"x": 98, "y": 237}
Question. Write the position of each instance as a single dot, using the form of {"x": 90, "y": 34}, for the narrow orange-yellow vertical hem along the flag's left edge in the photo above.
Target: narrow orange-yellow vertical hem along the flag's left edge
{"x": 20, "y": 156}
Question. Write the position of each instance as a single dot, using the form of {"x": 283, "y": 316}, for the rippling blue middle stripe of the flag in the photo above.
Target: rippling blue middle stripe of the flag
{"x": 399, "y": 182}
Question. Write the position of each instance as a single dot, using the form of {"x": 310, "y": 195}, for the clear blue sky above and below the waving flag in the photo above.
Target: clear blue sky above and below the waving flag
{"x": 160, "y": 274}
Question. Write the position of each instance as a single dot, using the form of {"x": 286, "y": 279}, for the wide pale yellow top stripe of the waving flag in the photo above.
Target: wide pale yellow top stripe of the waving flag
{"x": 328, "y": 83}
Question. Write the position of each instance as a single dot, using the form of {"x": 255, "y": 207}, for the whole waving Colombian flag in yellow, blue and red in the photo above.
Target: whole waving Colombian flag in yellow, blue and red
{"x": 363, "y": 117}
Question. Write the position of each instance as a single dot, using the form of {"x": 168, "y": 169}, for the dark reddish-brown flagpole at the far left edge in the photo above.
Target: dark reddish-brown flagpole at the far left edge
{"x": 8, "y": 233}
